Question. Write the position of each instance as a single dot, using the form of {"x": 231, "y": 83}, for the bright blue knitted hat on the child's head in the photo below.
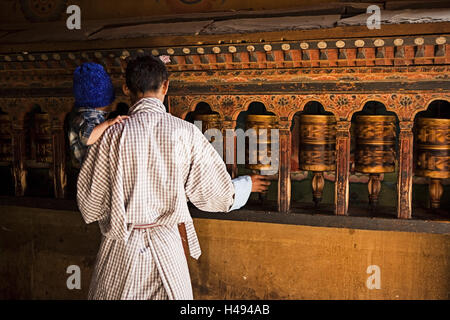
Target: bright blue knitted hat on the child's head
{"x": 92, "y": 86}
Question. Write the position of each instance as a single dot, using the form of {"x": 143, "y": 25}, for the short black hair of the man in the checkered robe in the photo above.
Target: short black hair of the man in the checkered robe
{"x": 145, "y": 73}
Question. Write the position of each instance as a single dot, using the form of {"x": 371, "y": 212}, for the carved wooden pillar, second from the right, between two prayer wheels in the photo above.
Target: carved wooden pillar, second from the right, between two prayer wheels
{"x": 341, "y": 195}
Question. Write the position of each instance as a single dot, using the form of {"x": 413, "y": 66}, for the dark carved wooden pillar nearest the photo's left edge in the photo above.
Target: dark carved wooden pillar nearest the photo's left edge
{"x": 18, "y": 142}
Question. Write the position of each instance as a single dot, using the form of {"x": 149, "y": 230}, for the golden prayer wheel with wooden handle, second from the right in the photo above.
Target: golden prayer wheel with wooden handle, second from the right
{"x": 375, "y": 149}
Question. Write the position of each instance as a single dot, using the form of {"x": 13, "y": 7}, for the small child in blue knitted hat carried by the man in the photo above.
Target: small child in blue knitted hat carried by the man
{"x": 94, "y": 94}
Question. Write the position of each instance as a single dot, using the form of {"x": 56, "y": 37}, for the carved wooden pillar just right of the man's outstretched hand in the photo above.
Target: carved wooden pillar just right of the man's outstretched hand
{"x": 284, "y": 172}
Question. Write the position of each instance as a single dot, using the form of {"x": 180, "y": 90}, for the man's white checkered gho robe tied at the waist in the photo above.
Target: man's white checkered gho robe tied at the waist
{"x": 144, "y": 171}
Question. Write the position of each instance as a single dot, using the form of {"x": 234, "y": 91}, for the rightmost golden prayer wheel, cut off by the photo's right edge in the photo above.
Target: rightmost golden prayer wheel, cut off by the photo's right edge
{"x": 433, "y": 154}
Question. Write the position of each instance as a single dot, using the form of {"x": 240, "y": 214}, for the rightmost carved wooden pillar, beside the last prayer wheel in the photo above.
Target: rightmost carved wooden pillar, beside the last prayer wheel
{"x": 405, "y": 172}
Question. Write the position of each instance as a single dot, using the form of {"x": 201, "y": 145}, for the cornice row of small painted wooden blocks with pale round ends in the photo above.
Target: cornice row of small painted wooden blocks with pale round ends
{"x": 374, "y": 51}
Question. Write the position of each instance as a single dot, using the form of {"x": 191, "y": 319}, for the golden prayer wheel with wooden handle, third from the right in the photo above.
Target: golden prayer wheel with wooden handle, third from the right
{"x": 317, "y": 150}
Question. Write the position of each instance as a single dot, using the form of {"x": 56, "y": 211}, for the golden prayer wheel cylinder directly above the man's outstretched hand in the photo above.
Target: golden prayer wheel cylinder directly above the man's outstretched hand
{"x": 263, "y": 152}
